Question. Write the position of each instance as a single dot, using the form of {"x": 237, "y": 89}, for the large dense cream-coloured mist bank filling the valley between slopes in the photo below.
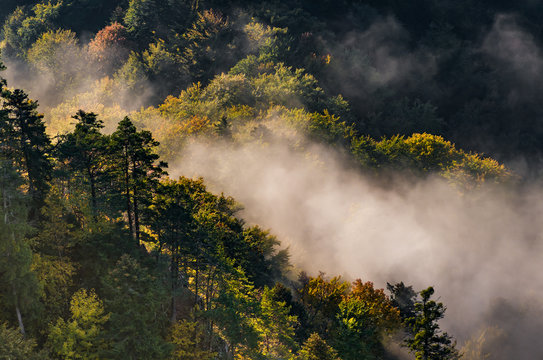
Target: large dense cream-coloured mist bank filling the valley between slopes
{"x": 477, "y": 250}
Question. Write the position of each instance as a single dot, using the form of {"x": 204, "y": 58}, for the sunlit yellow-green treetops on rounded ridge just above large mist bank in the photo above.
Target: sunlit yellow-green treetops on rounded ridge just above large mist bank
{"x": 233, "y": 102}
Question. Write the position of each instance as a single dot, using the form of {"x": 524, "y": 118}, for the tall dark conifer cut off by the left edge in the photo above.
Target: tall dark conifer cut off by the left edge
{"x": 19, "y": 131}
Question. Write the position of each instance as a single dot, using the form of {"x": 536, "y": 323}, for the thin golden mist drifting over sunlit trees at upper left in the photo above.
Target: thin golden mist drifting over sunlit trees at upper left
{"x": 68, "y": 77}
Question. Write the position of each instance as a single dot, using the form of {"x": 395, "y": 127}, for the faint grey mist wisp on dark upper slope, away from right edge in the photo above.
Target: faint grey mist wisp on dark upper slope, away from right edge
{"x": 378, "y": 57}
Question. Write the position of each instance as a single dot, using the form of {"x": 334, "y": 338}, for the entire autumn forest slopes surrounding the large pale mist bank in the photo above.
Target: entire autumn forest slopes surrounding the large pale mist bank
{"x": 103, "y": 255}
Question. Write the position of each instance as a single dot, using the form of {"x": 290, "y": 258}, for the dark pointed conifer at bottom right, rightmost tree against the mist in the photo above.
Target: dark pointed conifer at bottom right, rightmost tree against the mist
{"x": 427, "y": 342}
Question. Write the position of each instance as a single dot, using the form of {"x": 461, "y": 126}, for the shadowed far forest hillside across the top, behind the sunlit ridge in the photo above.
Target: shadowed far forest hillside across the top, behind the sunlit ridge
{"x": 440, "y": 67}
